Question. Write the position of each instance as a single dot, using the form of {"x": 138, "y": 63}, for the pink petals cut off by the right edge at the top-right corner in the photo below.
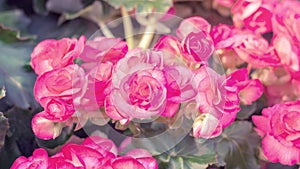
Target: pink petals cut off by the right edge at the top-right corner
{"x": 286, "y": 38}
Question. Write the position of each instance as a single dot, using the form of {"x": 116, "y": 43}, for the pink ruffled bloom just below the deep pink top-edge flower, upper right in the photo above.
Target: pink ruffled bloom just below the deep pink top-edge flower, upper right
{"x": 256, "y": 51}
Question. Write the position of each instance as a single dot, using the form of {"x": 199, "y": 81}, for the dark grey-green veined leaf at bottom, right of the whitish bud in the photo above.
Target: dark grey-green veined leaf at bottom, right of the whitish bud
{"x": 236, "y": 147}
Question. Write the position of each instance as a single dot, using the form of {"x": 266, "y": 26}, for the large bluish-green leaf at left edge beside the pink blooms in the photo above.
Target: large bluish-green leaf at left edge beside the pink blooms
{"x": 19, "y": 83}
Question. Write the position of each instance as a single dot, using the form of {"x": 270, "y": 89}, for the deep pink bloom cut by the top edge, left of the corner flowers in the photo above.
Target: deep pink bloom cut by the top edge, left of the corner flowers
{"x": 254, "y": 15}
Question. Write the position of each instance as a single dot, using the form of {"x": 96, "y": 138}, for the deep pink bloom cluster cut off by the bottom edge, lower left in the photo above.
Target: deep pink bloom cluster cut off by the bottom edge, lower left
{"x": 94, "y": 152}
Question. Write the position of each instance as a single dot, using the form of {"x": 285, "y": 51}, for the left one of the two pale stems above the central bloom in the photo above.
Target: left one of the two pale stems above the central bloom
{"x": 128, "y": 28}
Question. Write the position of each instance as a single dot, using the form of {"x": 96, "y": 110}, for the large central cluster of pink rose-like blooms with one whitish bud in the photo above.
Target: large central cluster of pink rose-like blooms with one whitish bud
{"x": 110, "y": 81}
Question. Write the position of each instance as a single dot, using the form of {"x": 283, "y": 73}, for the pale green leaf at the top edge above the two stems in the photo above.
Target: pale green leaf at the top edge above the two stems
{"x": 143, "y": 5}
